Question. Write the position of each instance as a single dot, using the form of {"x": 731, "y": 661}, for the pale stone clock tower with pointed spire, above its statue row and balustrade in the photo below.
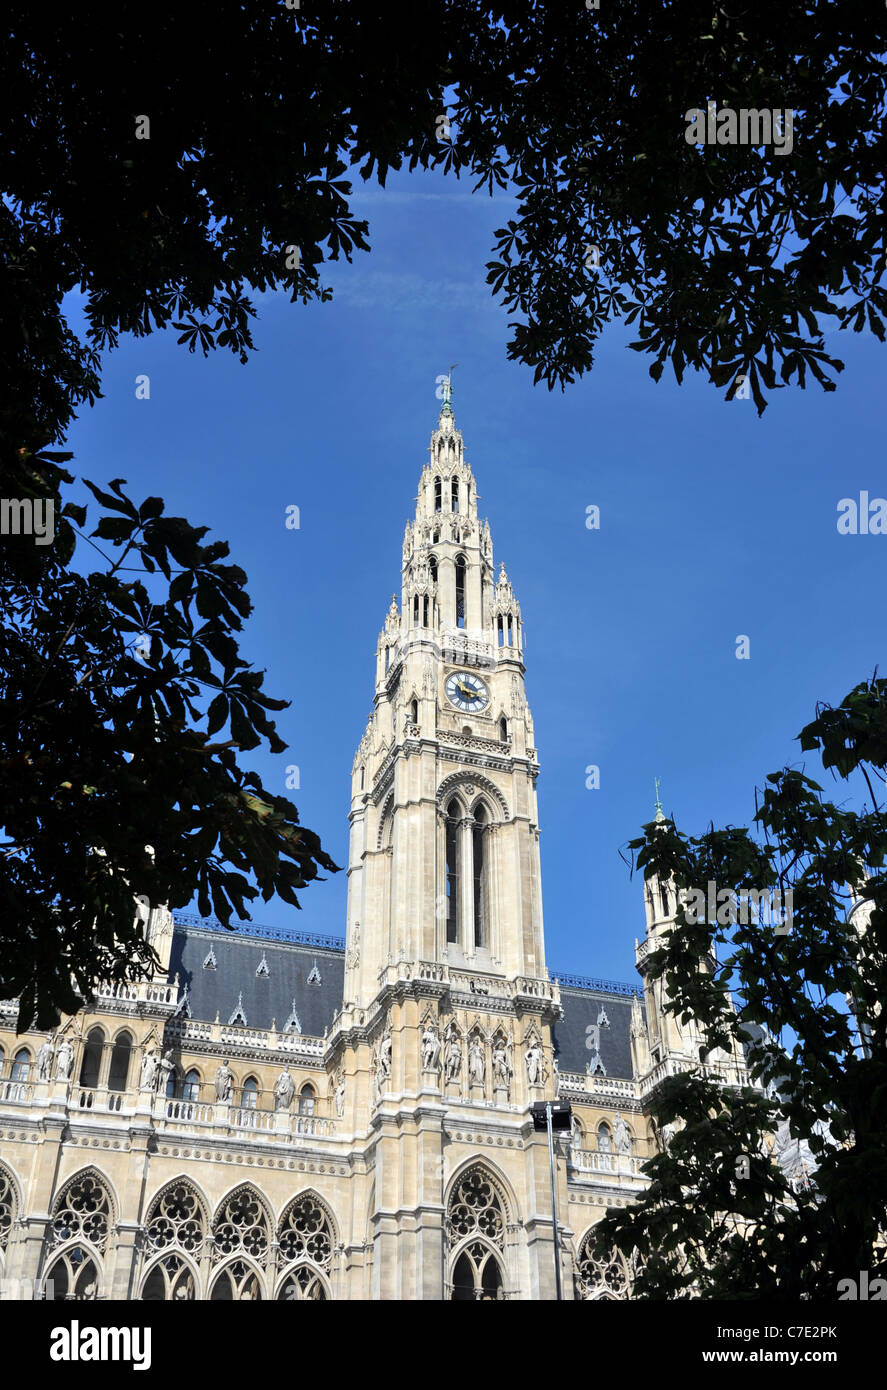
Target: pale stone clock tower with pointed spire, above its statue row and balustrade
{"x": 444, "y": 861}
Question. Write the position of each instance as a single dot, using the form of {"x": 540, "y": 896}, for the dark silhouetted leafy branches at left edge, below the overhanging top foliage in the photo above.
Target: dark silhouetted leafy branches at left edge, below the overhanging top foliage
{"x": 123, "y": 700}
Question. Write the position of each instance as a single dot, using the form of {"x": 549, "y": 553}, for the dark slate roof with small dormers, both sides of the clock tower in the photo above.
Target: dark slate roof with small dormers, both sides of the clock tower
{"x": 290, "y": 960}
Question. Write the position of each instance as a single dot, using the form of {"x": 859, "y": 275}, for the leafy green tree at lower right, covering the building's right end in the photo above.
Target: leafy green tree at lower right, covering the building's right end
{"x": 721, "y": 1218}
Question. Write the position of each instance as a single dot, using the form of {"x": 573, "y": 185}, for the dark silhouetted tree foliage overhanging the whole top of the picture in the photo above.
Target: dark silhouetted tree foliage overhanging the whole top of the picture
{"x": 725, "y": 258}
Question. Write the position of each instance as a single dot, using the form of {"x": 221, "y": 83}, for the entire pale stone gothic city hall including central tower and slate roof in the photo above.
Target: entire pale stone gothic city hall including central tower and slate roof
{"x": 280, "y": 1115}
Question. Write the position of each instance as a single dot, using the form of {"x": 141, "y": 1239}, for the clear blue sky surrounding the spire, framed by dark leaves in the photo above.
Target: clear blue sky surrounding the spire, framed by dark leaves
{"x": 714, "y": 523}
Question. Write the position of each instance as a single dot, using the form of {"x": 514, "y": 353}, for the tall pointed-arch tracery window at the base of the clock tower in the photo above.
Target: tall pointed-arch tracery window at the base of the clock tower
{"x": 476, "y": 1236}
